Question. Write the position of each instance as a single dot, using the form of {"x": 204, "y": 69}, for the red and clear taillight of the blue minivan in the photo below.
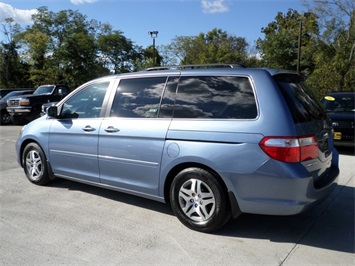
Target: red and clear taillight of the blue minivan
{"x": 290, "y": 149}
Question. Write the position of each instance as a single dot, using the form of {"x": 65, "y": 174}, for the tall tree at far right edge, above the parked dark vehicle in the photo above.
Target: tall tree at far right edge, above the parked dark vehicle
{"x": 335, "y": 59}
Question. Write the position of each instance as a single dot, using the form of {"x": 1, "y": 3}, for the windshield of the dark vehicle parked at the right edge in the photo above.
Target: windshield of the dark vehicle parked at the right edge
{"x": 338, "y": 103}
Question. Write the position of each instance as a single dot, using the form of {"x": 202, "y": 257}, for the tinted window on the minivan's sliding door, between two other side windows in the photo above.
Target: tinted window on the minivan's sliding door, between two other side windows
{"x": 138, "y": 97}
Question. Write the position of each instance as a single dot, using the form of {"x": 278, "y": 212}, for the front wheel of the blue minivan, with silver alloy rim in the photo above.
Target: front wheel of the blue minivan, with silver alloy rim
{"x": 35, "y": 164}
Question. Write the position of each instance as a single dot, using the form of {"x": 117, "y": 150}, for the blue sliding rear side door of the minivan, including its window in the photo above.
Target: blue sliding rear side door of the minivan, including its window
{"x": 132, "y": 138}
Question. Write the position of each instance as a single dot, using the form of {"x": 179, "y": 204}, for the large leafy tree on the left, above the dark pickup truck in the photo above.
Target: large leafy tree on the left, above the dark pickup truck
{"x": 62, "y": 48}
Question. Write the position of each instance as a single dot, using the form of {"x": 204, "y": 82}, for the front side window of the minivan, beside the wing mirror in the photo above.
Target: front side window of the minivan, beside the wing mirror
{"x": 87, "y": 103}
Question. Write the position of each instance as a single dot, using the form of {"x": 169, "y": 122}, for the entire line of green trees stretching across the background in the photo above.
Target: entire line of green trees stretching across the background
{"x": 67, "y": 47}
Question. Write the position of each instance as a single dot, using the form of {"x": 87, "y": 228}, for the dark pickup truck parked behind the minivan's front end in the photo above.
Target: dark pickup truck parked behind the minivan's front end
{"x": 26, "y": 108}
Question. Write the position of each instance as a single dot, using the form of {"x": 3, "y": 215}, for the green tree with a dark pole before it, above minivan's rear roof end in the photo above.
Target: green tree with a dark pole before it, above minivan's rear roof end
{"x": 279, "y": 48}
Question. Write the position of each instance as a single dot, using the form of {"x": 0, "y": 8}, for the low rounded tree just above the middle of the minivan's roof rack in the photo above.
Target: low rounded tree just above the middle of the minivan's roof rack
{"x": 216, "y": 46}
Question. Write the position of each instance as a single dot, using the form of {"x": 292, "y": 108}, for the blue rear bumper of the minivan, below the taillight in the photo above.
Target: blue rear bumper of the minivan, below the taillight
{"x": 283, "y": 194}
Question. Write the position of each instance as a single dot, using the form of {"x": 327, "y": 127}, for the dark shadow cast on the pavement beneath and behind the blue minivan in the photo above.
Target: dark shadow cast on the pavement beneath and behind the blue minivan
{"x": 329, "y": 225}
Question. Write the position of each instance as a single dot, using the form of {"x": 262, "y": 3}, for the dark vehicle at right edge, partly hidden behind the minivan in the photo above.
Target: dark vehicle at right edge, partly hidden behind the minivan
{"x": 340, "y": 107}
